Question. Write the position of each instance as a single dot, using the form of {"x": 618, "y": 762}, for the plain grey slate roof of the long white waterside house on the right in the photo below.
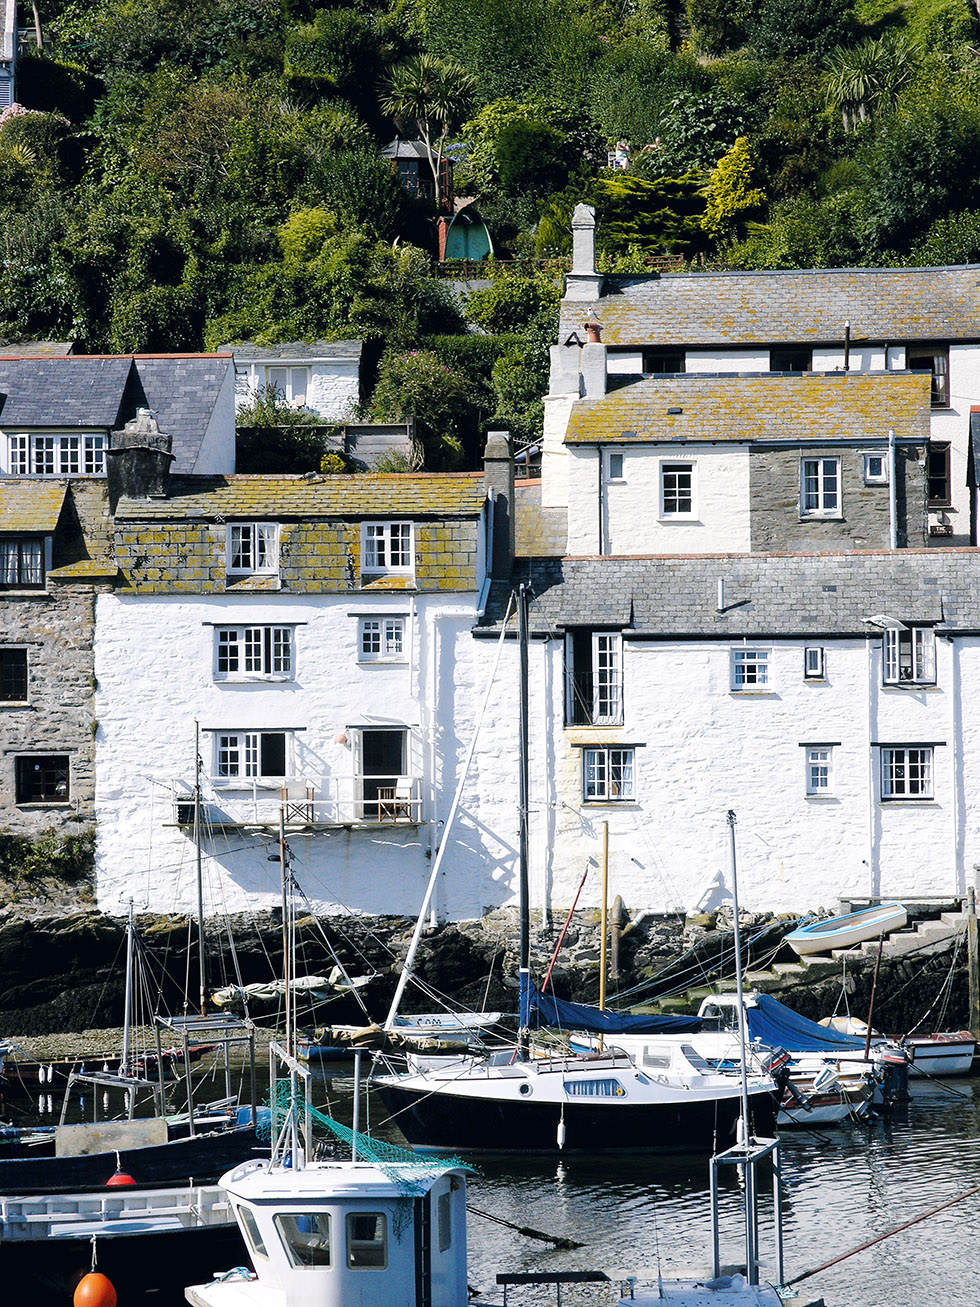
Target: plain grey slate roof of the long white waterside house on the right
{"x": 766, "y": 595}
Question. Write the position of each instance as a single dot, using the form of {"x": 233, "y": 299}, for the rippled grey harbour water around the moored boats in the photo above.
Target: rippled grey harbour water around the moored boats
{"x": 842, "y": 1187}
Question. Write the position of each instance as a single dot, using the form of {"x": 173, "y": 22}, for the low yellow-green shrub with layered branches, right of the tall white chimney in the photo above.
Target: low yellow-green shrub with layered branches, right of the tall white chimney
{"x": 654, "y": 216}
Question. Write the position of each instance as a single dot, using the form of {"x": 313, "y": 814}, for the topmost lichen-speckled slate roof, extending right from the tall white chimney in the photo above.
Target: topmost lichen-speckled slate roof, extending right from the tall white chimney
{"x": 809, "y": 306}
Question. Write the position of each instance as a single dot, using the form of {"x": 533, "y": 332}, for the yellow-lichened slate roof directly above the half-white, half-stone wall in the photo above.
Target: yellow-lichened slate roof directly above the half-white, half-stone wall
{"x": 759, "y": 407}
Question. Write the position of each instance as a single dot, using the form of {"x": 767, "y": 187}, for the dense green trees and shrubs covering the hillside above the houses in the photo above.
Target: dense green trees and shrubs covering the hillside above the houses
{"x": 197, "y": 172}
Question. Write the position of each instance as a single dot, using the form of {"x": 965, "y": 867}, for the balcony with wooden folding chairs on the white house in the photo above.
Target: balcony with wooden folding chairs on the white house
{"x": 304, "y": 803}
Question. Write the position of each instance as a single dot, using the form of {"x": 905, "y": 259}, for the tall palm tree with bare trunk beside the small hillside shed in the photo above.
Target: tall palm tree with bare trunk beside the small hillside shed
{"x": 433, "y": 93}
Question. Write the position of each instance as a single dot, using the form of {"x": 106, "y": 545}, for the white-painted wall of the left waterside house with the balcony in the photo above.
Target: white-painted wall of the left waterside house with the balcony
{"x": 154, "y": 663}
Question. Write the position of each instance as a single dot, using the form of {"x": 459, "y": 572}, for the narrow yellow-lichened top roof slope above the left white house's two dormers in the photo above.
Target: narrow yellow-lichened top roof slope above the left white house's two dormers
{"x": 297, "y": 497}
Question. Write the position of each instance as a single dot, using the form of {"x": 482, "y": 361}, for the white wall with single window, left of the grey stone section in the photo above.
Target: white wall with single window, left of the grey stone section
{"x": 632, "y": 508}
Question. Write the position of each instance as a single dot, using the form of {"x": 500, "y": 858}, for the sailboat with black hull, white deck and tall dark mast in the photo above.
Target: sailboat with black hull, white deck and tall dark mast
{"x": 513, "y": 1100}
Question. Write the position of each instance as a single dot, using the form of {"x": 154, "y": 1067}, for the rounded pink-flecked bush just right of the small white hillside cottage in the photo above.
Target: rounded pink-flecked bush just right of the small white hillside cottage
{"x": 419, "y": 385}
